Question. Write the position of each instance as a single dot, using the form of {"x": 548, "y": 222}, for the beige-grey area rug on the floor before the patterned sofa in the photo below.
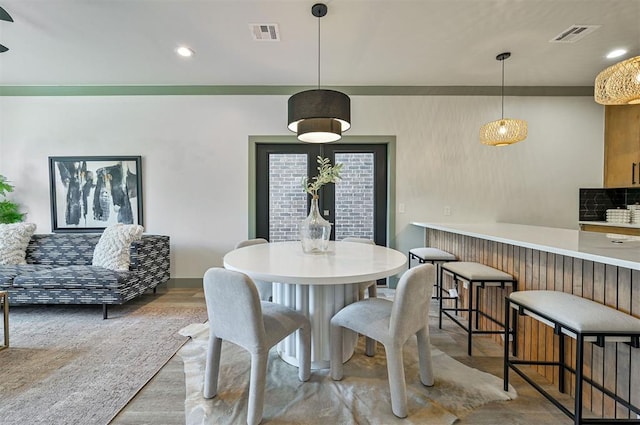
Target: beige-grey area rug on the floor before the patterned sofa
{"x": 65, "y": 365}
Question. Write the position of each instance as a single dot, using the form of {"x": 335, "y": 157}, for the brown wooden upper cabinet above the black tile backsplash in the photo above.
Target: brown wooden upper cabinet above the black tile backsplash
{"x": 622, "y": 146}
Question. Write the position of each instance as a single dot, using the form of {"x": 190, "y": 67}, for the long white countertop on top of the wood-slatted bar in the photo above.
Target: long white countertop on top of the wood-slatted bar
{"x": 607, "y": 248}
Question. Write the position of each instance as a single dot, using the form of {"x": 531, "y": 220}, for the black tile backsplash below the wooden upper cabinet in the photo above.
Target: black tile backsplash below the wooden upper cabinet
{"x": 595, "y": 202}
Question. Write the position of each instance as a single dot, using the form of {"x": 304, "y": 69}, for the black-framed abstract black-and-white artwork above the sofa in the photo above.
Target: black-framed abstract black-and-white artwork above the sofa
{"x": 90, "y": 193}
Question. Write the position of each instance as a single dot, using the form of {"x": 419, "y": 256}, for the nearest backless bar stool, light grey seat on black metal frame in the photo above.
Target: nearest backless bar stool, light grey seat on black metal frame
{"x": 585, "y": 321}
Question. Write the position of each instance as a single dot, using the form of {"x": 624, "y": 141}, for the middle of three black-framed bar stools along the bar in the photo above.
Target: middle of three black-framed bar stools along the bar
{"x": 478, "y": 276}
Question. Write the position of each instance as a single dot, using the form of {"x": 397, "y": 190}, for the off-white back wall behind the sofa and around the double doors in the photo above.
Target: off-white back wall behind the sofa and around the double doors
{"x": 195, "y": 159}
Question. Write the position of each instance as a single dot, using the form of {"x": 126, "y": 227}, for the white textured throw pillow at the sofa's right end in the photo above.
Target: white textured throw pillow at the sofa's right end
{"x": 112, "y": 250}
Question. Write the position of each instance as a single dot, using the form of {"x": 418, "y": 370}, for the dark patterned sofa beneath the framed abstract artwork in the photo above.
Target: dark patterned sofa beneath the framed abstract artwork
{"x": 59, "y": 271}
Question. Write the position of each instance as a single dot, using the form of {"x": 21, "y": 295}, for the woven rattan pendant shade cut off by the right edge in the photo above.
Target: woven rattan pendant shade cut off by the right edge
{"x": 619, "y": 84}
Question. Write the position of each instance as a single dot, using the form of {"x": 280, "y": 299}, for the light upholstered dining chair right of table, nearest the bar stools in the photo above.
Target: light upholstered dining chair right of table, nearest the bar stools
{"x": 392, "y": 324}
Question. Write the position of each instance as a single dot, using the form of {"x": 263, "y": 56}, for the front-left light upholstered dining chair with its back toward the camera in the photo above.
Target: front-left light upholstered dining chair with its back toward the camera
{"x": 237, "y": 315}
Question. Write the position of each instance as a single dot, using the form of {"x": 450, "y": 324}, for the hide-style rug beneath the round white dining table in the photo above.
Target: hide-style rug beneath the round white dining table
{"x": 361, "y": 397}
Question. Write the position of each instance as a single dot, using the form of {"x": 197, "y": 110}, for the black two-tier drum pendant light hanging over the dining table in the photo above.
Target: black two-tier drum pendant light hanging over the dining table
{"x": 319, "y": 116}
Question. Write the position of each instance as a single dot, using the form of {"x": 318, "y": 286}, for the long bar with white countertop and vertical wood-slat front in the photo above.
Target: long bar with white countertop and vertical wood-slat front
{"x": 598, "y": 266}
